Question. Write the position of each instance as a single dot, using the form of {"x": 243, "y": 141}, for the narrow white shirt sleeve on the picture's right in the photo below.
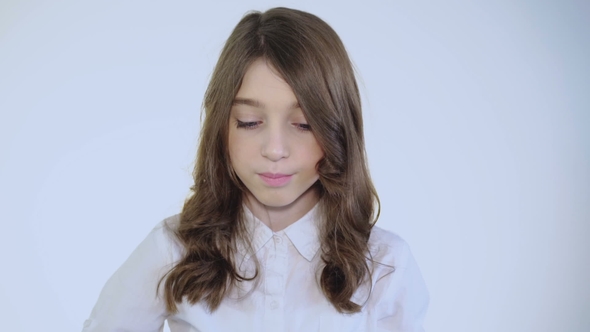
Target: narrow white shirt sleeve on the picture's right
{"x": 405, "y": 298}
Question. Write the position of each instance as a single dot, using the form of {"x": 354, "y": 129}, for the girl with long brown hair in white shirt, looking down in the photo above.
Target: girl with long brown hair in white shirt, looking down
{"x": 278, "y": 234}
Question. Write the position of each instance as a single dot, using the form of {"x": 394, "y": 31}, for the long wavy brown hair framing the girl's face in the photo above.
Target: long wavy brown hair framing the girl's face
{"x": 313, "y": 61}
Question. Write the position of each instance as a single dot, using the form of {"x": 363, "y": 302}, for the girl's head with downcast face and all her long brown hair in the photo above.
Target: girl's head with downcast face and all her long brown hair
{"x": 283, "y": 88}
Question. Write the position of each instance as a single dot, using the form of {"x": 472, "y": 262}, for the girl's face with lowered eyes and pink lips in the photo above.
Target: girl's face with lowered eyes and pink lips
{"x": 271, "y": 146}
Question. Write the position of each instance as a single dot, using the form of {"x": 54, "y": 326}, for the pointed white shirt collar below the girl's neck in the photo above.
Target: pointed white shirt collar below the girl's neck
{"x": 303, "y": 233}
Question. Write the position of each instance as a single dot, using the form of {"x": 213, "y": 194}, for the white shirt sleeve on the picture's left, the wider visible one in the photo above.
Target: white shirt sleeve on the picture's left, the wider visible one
{"x": 129, "y": 301}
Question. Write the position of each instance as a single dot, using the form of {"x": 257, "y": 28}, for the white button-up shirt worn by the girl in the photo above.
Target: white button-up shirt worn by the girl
{"x": 288, "y": 296}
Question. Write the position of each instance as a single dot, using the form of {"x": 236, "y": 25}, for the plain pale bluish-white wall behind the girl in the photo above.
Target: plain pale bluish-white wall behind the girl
{"x": 477, "y": 124}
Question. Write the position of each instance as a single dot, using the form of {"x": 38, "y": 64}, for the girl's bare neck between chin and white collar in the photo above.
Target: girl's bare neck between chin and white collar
{"x": 280, "y": 217}
